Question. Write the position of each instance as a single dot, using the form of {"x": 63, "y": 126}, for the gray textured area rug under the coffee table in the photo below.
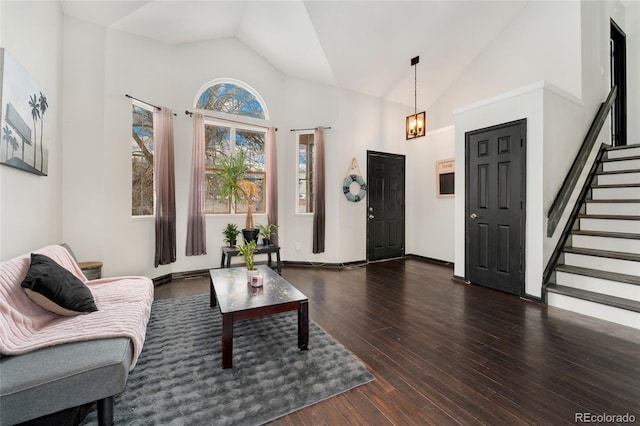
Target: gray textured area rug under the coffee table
{"x": 178, "y": 379}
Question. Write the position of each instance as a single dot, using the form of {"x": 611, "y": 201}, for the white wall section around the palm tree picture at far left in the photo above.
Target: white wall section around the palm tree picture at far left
{"x": 31, "y": 205}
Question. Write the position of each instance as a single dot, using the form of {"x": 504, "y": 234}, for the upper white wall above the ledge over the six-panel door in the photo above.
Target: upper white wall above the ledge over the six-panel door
{"x": 541, "y": 43}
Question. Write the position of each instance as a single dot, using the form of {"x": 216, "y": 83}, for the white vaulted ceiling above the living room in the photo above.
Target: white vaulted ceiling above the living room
{"x": 365, "y": 46}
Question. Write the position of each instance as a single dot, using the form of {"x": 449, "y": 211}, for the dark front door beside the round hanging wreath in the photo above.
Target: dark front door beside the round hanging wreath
{"x": 385, "y": 205}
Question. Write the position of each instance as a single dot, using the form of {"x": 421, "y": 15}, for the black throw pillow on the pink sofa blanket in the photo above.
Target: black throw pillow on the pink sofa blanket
{"x": 56, "y": 289}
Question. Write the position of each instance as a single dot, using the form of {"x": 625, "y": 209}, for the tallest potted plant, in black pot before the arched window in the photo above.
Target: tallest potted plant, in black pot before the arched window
{"x": 235, "y": 187}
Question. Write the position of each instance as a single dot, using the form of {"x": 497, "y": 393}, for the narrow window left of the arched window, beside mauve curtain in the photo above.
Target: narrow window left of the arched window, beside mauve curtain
{"x": 142, "y": 190}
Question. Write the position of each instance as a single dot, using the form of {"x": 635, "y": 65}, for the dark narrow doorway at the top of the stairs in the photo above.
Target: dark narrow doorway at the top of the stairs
{"x": 619, "y": 79}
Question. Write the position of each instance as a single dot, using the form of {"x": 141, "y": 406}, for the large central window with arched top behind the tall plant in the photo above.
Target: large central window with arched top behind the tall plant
{"x": 225, "y": 138}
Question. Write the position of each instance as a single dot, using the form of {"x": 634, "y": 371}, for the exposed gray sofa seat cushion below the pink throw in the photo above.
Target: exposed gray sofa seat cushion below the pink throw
{"x": 51, "y": 379}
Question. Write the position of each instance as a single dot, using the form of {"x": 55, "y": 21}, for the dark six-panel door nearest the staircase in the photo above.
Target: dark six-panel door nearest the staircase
{"x": 495, "y": 207}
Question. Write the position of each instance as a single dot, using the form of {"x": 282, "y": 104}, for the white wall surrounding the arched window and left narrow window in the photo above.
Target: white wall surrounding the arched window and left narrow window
{"x": 163, "y": 75}
